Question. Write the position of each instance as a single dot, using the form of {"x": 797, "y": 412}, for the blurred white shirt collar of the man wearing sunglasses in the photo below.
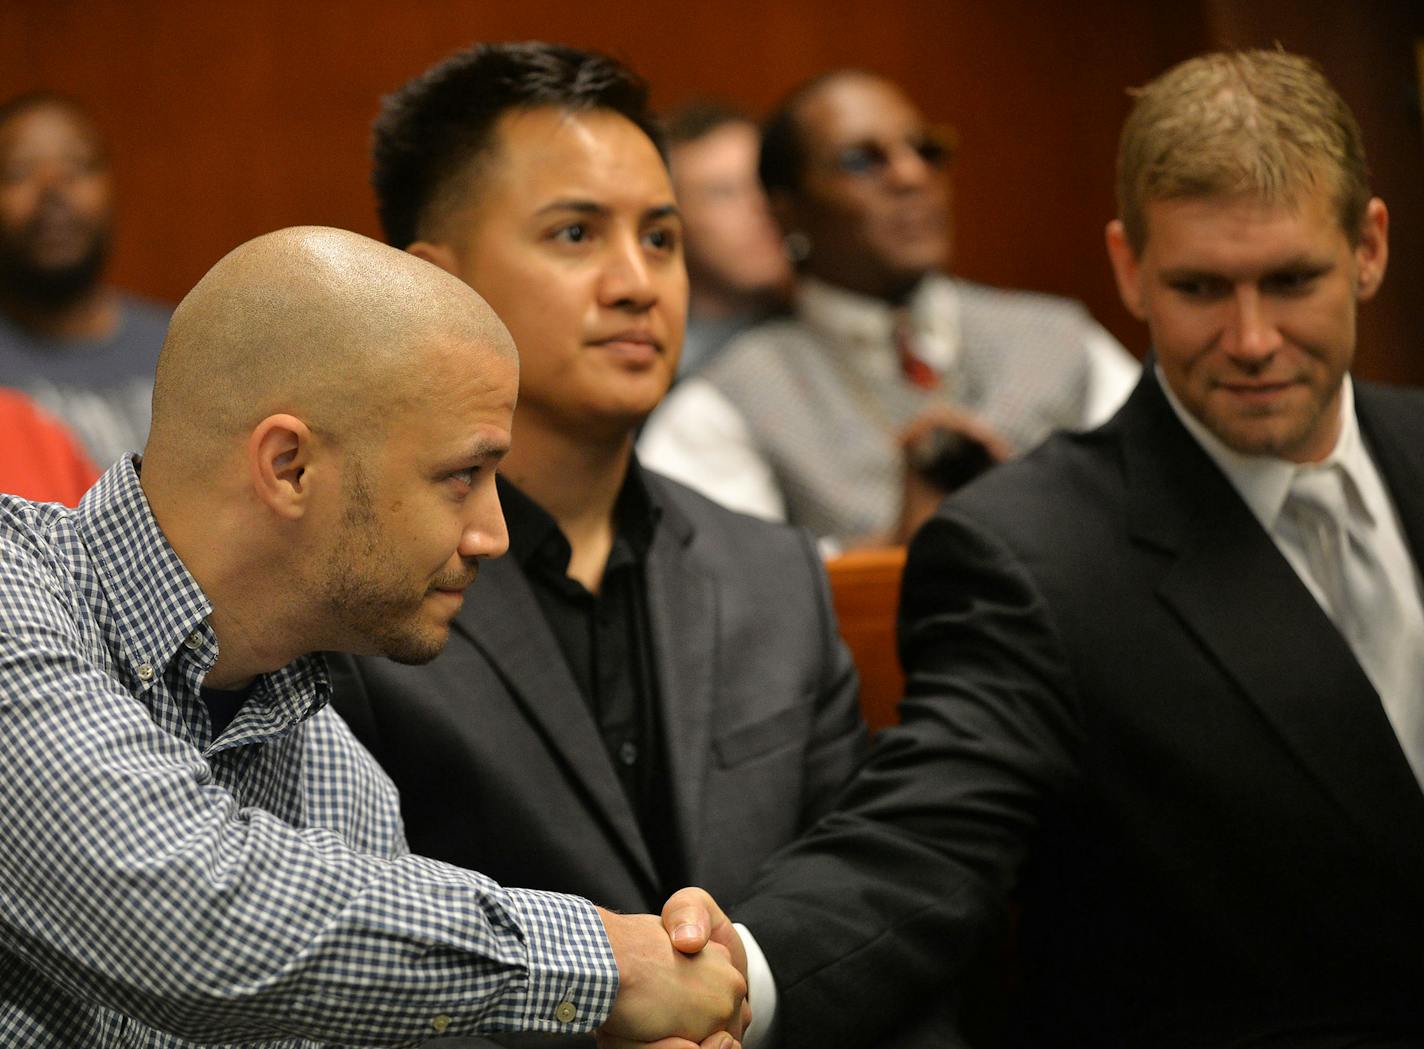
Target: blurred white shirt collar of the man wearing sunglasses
{"x": 858, "y": 322}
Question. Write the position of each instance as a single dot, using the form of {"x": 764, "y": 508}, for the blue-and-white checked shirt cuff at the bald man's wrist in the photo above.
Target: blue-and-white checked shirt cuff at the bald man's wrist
{"x": 573, "y": 977}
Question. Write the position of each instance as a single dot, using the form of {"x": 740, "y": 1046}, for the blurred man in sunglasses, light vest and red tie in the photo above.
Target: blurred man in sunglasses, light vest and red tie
{"x": 808, "y": 418}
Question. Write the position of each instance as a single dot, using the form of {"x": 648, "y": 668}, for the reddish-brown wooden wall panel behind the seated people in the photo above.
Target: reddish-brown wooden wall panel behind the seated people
{"x": 233, "y": 119}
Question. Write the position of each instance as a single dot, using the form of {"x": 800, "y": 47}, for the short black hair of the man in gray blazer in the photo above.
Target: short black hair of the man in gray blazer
{"x": 431, "y": 132}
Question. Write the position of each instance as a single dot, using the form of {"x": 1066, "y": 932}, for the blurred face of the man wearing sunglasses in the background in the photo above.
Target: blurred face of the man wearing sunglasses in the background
{"x": 875, "y": 189}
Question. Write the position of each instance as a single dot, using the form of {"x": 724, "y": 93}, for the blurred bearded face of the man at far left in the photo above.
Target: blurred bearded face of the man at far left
{"x": 56, "y": 204}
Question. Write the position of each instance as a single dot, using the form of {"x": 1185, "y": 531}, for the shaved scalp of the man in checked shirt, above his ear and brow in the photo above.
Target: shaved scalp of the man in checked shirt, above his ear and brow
{"x": 320, "y": 324}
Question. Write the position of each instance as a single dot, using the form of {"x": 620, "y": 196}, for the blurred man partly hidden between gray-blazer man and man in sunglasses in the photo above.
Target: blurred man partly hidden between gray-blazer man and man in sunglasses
{"x": 737, "y": 268}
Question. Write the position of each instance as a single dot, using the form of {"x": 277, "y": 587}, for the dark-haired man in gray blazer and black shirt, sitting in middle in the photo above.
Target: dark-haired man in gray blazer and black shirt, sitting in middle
{"x": 649, "y": 690}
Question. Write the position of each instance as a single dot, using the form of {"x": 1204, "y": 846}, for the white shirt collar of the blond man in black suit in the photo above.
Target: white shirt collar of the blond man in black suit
{"x": 1264, "y": 482}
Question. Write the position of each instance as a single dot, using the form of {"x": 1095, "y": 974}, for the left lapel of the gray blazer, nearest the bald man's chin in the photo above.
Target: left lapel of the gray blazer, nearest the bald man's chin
{"x": 505, "y": 621}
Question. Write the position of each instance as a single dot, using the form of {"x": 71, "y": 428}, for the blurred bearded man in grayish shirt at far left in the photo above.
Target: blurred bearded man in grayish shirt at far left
{"x": 85, "y": 351}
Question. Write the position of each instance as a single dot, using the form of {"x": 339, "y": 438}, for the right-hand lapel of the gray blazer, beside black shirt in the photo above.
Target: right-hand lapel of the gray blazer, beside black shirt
{"x": 684, "y": 616}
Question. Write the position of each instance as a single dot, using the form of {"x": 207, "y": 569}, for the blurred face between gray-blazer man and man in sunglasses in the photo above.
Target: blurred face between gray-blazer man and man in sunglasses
{"x": 734, "y": 248}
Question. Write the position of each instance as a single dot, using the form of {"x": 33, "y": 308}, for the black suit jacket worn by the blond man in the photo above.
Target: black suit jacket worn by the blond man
{"x": 1124, "y": 705}
